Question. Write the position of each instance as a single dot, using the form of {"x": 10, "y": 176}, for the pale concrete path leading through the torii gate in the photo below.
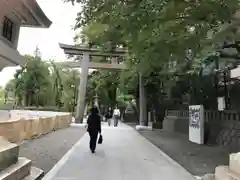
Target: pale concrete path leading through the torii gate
{"x": 124, "y": 155}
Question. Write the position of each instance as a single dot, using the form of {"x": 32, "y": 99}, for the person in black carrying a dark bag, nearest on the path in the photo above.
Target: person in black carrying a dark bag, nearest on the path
{"x": 94, "y": 127}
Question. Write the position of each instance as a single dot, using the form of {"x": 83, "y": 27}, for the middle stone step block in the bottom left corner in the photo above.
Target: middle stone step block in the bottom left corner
{"x": 17, "y": 171}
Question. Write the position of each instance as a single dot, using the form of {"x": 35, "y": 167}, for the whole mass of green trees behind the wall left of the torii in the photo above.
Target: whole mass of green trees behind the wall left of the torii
{"x": 43, "y": 84}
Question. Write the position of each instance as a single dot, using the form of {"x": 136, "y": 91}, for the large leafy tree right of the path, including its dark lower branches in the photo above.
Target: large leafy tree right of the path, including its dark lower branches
{"x": 165, "y": 40}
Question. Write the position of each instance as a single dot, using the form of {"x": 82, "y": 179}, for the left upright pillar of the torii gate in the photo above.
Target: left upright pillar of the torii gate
{"x": 82, "y": 88}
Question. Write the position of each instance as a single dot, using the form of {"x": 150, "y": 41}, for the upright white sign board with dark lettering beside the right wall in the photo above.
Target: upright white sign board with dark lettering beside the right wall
{"x": 196, "y": 124}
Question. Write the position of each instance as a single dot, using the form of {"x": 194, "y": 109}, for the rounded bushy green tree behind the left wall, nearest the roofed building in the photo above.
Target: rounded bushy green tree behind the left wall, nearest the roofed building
{"x": 31, "y": 82}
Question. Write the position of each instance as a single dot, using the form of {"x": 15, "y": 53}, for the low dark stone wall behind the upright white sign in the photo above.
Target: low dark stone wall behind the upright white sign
{"x": 221, "y": 128}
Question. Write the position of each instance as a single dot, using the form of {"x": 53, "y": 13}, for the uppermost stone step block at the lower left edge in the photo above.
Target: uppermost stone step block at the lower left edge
{"x": 8, "y": 153}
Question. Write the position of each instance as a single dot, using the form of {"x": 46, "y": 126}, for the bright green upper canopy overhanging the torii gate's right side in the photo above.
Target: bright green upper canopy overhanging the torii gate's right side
{"x": 154, "y": 31}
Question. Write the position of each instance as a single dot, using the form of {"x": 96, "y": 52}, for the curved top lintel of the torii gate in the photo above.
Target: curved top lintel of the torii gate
{"x": 80, "y": 50}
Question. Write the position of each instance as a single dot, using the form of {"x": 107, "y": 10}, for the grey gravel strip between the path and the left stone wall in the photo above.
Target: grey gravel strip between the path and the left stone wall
{"x": 46, "y": 151}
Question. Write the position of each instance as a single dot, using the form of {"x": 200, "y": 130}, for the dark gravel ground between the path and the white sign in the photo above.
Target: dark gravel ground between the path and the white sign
{"x": 197, "y": 159}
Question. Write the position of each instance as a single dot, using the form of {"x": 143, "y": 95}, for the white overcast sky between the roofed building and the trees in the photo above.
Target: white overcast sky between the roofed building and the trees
{"x": 63, "y": 17}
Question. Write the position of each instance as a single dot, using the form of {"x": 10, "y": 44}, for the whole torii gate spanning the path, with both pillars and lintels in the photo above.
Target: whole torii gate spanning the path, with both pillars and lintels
{"x": 85, "y": 64}
